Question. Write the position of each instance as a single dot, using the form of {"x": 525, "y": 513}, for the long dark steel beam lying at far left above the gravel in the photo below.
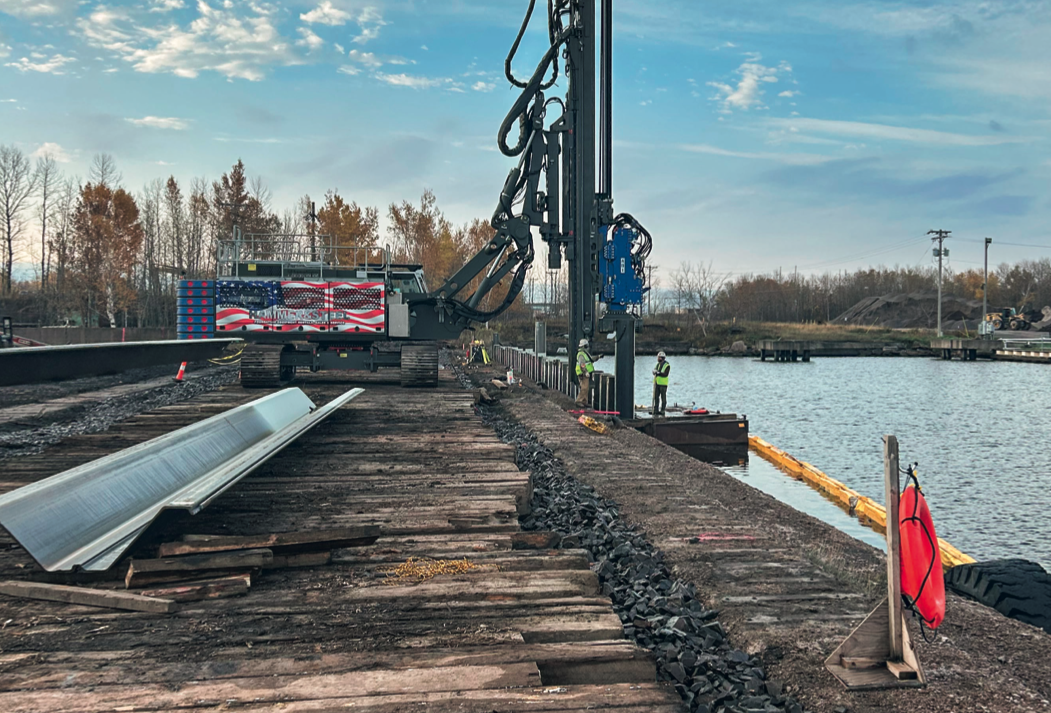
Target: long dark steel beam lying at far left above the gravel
{"x": 28, "y": 365}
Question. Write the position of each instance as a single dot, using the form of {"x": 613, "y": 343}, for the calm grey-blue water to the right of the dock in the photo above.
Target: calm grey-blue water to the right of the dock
{"x": 980, "y": 432}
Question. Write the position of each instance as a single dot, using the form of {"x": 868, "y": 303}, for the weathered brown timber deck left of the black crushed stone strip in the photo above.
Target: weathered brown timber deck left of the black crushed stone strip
{"x": 524, "y": 630}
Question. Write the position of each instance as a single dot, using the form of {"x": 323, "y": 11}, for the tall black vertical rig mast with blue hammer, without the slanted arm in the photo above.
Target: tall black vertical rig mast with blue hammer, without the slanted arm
{"x": 606, "y": 253}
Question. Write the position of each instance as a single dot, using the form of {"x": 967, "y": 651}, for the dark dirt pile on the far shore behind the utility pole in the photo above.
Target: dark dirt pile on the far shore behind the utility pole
{"x": 913, "y": 311}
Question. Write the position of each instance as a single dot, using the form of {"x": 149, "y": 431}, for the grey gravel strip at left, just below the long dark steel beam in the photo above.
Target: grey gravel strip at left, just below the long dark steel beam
{"x": 104, "y": 415}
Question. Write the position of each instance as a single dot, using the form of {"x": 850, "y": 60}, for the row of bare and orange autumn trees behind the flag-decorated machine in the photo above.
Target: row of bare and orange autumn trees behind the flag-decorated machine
{"x": 110, "y": 257}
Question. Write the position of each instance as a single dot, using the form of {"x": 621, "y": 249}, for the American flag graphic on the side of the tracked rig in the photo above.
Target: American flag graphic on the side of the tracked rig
{"x": 273, "y": 305}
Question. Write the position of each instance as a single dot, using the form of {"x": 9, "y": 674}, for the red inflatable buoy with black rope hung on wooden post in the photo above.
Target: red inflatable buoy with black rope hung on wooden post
{"x": 923, "y": 584}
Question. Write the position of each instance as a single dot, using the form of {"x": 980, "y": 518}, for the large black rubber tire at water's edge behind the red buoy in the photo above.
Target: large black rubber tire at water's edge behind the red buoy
{"x": 1017, "y": 588}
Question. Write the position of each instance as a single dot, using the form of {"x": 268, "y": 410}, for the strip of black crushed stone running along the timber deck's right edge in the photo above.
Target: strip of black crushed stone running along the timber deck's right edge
{"x": 658, "y": 612}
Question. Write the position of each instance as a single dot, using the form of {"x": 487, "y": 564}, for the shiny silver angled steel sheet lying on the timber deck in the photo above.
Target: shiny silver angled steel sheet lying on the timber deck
{"x": 87, "y": 518}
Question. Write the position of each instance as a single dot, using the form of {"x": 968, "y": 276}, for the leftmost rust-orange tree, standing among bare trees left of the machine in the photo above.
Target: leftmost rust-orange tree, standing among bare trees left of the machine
{"x": 108, "y": 237}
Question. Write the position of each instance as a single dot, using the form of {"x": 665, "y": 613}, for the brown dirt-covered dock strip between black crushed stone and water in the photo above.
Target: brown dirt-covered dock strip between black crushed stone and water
{"x": 790, "y": 588}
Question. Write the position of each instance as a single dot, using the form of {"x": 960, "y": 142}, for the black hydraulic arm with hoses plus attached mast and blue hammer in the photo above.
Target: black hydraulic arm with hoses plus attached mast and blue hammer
{"x": 552, "y": 193}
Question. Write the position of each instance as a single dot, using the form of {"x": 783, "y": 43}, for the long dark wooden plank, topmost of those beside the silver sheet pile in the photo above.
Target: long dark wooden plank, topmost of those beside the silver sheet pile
{"x": 279, "y": 543}
